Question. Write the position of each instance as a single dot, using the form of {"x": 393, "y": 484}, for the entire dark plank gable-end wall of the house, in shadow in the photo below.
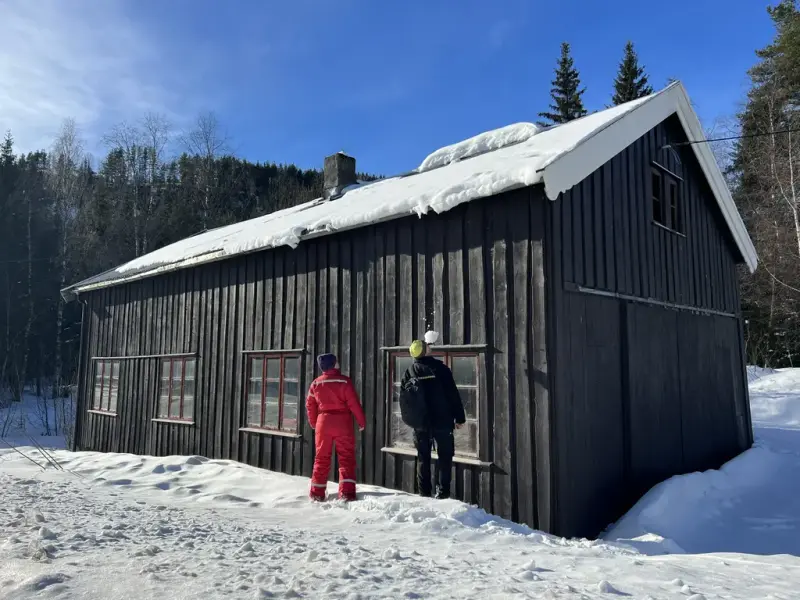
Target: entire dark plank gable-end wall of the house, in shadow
{"x": 640, "y": 391}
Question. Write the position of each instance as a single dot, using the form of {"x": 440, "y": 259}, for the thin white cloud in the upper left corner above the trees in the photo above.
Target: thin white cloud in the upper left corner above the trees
{"x": 84, "y": 60}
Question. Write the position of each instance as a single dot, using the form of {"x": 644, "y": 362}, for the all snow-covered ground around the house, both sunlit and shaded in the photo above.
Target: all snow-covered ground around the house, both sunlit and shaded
{"x": 123, "y": 526}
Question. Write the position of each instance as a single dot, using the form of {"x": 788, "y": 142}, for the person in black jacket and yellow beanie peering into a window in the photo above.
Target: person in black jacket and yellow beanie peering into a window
{"x": 445, "y": 411}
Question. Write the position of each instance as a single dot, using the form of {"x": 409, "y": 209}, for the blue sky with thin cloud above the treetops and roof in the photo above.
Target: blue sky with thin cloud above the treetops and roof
{"x": 384, "y": 81}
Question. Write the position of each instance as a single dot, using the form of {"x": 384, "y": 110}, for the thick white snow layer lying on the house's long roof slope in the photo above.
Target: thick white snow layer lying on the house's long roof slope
{"x": 438, "y": 190}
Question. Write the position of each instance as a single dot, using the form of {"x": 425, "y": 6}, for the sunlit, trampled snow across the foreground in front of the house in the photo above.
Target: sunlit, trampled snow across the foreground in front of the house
{"x": 125, "y": 526}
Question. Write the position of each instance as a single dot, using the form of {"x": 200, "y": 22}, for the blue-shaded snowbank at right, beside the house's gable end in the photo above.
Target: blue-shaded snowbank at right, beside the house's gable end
{"x": 751, "y": 505}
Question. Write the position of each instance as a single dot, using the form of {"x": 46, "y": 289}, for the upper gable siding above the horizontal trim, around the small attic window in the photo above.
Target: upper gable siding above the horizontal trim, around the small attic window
{"x": 610, "y": 214}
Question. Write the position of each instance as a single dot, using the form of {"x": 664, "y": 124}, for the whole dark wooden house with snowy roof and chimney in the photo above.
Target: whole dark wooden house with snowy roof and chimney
{"x": 583, "y": 279}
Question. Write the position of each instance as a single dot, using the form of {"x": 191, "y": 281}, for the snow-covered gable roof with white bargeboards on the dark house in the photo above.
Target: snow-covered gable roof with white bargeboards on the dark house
{"x": 517, "y": 156}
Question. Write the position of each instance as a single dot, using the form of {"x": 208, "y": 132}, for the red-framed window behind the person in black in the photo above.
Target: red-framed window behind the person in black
{"x": 465, "y": 368}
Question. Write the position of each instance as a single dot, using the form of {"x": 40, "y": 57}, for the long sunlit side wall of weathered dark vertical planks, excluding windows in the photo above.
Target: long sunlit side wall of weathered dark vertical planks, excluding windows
{"x": 475, "y": 274}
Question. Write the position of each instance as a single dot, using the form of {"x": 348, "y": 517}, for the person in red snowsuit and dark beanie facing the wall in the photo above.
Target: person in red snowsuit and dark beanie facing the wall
{"x": 331, "y": 404}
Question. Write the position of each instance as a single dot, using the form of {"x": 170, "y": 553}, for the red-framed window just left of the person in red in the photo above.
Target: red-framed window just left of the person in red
{"x": 273, "y": 391}
